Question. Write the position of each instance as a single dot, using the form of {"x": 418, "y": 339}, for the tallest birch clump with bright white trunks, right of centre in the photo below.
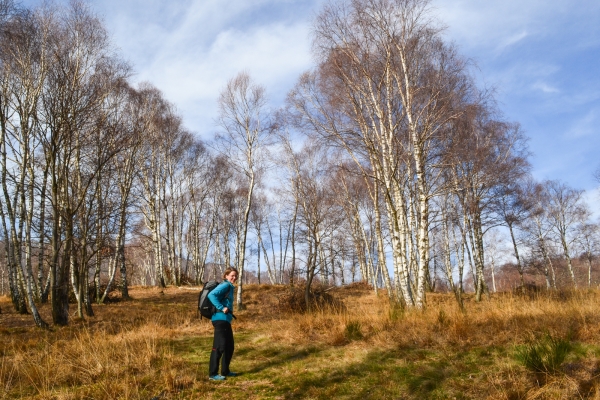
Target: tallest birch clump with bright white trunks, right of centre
{"x": 384, "y": 91}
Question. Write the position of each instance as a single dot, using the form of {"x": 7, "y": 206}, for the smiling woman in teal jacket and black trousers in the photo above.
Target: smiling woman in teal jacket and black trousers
{"x": 222, "y": 299}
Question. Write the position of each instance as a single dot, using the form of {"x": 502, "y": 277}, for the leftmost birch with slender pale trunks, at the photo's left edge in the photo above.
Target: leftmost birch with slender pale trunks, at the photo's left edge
{"x": 23, "y": 67}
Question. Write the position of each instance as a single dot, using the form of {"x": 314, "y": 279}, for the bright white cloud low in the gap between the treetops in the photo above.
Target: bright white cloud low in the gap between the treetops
{"x": 194, "y": 82}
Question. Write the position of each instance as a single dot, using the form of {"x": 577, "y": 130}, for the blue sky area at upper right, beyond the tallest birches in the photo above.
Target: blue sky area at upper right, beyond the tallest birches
{"x": 542, "y": 57}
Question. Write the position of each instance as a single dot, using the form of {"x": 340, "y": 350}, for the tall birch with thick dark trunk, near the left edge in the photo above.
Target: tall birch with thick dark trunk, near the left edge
{"x": 84, "y": 71}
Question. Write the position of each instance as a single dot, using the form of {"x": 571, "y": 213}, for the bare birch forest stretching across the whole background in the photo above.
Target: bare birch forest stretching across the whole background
{"x": 388, "y": 163}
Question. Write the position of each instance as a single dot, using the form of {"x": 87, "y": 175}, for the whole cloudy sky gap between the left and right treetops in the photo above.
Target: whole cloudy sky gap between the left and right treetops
{"x": 189, "y": 49}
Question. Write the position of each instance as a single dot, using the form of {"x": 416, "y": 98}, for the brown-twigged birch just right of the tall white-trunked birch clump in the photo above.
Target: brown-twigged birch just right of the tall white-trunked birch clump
{"x": 484, "y": 154}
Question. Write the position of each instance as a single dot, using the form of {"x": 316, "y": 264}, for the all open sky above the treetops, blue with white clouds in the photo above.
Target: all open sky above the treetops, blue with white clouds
{"x": 541, "y": 56}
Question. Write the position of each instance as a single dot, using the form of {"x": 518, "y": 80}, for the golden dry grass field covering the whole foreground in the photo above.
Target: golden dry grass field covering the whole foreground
{"x": 155, "y": 347}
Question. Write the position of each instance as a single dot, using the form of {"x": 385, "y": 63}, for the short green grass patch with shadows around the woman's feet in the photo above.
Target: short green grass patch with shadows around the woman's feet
{"x": 277, "y": 371}
